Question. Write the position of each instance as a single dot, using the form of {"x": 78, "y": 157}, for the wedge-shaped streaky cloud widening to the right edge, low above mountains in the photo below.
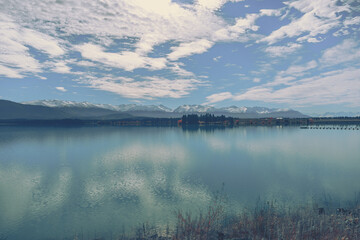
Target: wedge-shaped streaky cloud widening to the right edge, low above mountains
{"x": 341, "y": 86}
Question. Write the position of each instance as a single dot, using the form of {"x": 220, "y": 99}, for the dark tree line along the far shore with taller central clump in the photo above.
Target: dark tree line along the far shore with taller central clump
{"x": 187, "y": 120}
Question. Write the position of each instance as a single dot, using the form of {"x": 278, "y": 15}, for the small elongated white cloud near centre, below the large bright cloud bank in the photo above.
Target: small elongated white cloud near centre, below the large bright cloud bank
{"x": 187, "y": 49}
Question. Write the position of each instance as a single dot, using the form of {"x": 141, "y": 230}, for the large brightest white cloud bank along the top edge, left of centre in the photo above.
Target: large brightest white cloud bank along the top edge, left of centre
{"x": 119, "y": 20}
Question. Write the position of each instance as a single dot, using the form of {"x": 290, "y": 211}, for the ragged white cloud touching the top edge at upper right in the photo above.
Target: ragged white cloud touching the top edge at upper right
{"x": 318, "y": 17}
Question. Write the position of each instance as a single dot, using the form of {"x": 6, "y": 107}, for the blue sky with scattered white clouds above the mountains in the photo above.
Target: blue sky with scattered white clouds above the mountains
{"x": 302, "y": 54}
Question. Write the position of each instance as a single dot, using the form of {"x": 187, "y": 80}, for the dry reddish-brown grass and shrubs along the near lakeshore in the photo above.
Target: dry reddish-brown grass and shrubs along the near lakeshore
{"x": 268, "y": 220}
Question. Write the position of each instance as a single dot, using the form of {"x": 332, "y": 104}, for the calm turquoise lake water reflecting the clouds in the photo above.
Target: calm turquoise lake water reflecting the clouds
{"x": 56, "y": 183}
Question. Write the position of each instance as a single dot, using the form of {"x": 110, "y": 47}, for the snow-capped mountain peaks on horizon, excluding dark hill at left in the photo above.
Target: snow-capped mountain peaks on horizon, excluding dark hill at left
{"x": 163, "y": 111}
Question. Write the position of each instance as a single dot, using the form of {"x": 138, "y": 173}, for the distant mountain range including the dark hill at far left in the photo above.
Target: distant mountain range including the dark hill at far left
{"x": 56, "y": 109}
